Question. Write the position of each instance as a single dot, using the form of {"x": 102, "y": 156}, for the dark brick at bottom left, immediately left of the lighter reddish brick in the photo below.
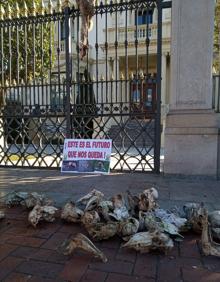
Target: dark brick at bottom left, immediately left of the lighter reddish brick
{"x": 44, "y": 269}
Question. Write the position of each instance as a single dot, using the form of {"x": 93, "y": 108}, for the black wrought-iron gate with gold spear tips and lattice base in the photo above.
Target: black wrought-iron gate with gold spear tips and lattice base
{"x": 49, "y": 93}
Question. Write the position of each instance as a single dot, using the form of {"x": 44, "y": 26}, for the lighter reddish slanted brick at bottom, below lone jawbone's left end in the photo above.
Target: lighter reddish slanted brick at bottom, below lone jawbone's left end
{"x": 75, "y": 268}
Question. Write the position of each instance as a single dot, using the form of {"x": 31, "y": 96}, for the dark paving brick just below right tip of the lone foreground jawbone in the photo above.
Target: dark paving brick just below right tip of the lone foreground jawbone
{"x": 113, "y": 266}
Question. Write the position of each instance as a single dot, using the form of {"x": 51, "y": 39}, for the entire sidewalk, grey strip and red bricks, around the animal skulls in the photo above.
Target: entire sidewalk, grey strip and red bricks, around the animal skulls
{"x": 28, "y": 254}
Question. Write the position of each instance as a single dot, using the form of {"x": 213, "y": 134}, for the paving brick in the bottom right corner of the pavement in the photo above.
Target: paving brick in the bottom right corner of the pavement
{"x": 199, "y": 274}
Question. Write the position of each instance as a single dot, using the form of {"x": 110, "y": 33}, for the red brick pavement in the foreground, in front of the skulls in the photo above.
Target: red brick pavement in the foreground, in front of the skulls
{"x": 28, "y": 254}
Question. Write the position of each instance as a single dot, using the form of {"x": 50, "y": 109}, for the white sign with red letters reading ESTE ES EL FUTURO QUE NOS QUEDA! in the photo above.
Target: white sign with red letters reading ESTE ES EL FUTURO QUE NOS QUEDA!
{"x": 86, "y": 155}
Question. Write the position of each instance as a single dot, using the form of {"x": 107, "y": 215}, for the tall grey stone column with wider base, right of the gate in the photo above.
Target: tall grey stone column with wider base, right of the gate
{"x": 191, "y": 128}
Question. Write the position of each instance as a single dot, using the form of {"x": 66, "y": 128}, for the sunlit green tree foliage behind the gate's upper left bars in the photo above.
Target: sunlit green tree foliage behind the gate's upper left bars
{"x": 28, "y": 46}
